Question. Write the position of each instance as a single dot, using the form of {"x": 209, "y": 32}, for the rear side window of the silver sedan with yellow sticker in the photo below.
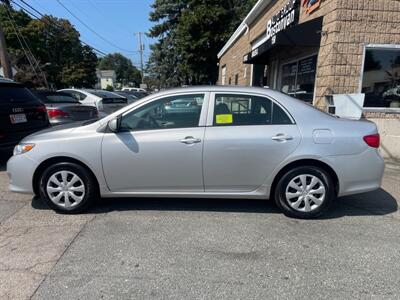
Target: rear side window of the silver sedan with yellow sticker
{"x": 242, "y": 110}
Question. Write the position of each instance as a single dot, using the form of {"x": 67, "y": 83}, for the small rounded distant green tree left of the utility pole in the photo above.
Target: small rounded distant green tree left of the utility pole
{"x": 126, "y": 72}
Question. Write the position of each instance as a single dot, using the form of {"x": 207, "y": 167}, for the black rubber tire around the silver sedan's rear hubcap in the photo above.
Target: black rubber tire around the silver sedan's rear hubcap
{"x": 285, "y": 205}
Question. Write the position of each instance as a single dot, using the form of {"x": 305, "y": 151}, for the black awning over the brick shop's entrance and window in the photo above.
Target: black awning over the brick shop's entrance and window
{"x": 306, "y": 34}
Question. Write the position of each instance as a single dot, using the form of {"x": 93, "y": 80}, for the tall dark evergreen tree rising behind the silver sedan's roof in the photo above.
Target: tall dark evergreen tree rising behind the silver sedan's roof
{"x": 190, "y": 34}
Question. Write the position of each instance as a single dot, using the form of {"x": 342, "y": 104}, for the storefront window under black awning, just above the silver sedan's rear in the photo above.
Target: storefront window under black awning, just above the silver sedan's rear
{"x": 298, "y": 78}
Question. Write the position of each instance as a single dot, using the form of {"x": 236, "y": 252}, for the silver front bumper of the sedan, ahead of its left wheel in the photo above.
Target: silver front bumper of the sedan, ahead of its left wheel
{"x": 20, "y": 170}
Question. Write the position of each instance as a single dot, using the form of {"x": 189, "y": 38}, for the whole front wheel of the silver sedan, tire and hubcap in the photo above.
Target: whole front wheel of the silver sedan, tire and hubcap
{"x": 68, "y": 188}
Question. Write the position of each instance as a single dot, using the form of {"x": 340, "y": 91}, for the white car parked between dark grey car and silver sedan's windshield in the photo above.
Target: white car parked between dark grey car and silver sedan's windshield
{"x": 105, "y": 102}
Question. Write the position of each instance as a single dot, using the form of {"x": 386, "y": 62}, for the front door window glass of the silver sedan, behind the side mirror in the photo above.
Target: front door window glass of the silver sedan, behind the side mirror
{"x": 181, "y": 111}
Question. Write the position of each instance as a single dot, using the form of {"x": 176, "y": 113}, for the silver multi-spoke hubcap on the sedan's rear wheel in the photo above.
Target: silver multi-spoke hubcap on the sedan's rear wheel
{"x": 305, "y": 193}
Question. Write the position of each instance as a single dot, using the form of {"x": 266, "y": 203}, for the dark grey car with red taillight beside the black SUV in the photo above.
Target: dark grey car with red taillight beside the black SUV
{"x": 62, "y": 108}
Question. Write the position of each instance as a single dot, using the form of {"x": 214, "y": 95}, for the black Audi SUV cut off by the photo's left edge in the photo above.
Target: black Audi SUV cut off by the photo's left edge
{"x": 21, "y": 113}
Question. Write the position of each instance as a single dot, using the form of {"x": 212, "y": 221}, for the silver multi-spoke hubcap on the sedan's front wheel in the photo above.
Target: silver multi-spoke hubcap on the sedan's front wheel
{"x": 65, "y": 189}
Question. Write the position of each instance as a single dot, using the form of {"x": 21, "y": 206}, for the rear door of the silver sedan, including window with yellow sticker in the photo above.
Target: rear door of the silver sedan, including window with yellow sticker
{"x": 250, "y": 135}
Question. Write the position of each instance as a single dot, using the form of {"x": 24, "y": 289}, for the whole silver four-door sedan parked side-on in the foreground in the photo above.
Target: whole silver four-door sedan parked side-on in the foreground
{"x": 243, "y": 143}
